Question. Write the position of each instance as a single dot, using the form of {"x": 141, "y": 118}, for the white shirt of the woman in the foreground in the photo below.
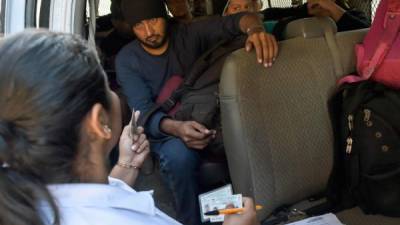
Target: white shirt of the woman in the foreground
{"x": 105, "y": 204}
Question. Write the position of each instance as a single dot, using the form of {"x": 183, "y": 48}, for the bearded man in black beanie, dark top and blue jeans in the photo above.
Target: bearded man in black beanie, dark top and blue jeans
{"x": 162, "y": 50}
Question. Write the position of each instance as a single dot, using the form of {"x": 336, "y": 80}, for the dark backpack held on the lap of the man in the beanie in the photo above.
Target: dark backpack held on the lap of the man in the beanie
{"x": 198, "y": 95}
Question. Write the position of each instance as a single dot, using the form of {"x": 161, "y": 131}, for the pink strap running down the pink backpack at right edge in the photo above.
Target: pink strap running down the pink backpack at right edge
{"x": 392, "y": 28}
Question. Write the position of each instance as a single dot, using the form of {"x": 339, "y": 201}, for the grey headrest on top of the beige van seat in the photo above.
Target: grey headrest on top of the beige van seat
{"x": 309, "y": 27}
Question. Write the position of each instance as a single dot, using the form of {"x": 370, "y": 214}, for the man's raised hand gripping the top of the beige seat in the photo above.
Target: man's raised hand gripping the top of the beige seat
{"x": 265, "y": 45}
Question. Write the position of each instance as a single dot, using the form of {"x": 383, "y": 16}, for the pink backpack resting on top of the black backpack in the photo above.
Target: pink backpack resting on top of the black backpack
{"x": 378, "y": 57}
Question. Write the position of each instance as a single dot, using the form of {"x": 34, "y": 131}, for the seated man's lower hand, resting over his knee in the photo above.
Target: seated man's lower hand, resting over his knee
{"x": 195, "y": 135}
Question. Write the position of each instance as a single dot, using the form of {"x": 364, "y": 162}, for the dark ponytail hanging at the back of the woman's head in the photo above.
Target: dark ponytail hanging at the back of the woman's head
{"x": 20, "y": 193}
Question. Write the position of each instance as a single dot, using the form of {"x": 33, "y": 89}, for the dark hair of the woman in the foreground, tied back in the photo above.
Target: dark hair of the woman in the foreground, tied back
{"x": 48, "y": 83}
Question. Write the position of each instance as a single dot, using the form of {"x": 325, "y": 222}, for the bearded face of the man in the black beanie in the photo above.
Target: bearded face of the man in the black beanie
{"x": 151, "y": 32}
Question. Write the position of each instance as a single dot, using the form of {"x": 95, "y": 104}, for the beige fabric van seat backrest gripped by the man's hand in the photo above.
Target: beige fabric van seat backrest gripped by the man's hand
{"x": 276, "y": 126}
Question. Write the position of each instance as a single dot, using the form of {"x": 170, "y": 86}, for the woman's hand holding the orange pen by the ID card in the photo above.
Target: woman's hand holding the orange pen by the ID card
{"x": 247, "y": 217}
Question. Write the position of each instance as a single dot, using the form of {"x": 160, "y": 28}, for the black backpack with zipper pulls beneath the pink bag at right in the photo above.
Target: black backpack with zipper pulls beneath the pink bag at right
{"x": 366, "y": 123}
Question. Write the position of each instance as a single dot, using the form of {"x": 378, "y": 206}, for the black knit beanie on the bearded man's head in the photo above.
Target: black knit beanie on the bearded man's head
{"x": 135, "y": 11}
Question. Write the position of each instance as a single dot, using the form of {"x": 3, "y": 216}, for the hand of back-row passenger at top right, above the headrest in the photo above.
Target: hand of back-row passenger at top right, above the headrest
{"x": 322, "y": 8}
